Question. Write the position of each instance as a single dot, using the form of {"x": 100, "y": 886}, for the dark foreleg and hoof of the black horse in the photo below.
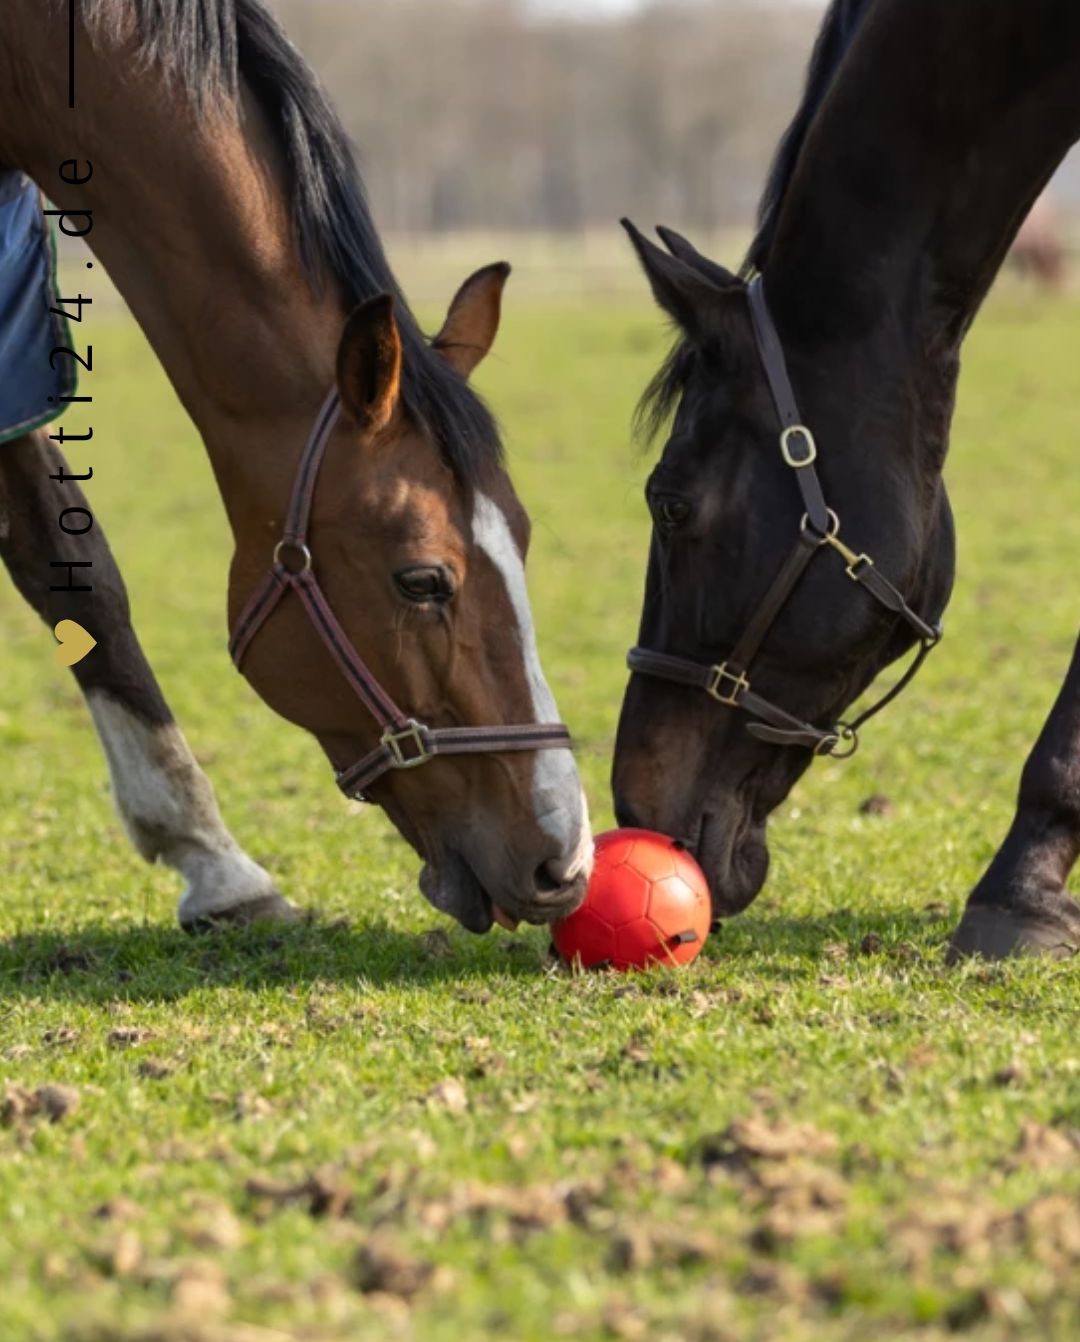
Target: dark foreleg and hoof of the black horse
{"x": 1022, "y": 904}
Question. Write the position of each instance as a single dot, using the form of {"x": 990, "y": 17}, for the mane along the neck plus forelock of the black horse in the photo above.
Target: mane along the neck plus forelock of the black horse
{"x": 838, "y": 33}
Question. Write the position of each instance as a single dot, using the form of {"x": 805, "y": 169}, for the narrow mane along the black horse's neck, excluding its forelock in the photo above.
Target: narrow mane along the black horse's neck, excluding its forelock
{"x": 838, "y": 33}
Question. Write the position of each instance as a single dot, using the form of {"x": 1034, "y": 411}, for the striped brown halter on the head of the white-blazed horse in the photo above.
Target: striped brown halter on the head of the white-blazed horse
{"x": 404, "y": 744}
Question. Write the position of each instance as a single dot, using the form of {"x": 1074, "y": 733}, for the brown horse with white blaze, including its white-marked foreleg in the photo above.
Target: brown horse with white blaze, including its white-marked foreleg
{"x": 378, "y": 591}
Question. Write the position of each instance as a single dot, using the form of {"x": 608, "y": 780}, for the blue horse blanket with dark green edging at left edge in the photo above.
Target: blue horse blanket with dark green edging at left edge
{"x": 30, "y": 387}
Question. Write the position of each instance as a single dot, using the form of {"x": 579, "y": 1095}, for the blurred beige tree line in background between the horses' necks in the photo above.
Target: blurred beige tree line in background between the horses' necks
{"x": 476, "y": 115}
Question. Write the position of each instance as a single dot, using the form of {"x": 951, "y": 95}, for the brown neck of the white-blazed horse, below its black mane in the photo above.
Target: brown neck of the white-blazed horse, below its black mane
{"x": 198, "y": 241}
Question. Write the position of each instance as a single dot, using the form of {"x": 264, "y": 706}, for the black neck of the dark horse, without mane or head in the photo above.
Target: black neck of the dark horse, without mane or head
{"x": 938, "y": 134}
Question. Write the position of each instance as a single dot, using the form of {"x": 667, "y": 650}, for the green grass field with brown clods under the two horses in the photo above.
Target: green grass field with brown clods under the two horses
{"x": 367, "y": 1131}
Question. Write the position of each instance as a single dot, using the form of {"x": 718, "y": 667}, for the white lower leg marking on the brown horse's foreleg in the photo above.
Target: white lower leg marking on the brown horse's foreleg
{"x": 168, "y": 807}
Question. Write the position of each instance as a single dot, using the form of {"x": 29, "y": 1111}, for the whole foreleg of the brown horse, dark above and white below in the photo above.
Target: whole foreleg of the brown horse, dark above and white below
{"x": 164, "y": 799}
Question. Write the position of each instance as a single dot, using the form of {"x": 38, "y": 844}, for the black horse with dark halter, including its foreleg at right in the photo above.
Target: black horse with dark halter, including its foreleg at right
{"x": 803, "y": 537}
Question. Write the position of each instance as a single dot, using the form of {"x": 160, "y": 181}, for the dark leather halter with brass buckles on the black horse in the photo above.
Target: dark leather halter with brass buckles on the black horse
{"x": 729, "y": 682}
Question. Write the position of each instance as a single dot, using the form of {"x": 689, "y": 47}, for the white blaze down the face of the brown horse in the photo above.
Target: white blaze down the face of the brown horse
{"x": 557, "y": 794}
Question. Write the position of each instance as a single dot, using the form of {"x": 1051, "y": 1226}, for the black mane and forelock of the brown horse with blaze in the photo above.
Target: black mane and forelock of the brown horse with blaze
{"x": 213, "y": 48}
